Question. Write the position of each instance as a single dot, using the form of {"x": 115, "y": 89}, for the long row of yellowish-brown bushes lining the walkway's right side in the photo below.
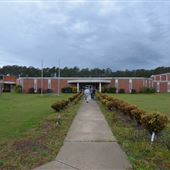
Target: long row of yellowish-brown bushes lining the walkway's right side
{"x": 152, "y": 121}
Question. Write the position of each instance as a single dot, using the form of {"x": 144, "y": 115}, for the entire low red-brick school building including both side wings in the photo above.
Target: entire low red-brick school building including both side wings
{"x": 161, "y": 82}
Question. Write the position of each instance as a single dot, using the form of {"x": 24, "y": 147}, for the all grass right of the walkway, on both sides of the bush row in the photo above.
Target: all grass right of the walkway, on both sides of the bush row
{"x": 134, "y": 140}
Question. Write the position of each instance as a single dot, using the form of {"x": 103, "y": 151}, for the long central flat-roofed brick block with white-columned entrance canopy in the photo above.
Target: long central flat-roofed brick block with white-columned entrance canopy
{"x": 126, "y": 83}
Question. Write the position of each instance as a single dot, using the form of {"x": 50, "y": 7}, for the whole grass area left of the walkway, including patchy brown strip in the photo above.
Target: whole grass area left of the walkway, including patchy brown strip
{"x": 29, "y": 133}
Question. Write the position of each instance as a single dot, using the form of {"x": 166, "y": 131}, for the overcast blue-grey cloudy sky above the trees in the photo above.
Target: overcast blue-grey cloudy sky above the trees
{"x": 107, "y": 34}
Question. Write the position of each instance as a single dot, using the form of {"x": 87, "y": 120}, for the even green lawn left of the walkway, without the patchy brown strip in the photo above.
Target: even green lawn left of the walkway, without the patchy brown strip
{"x": 19, "y": 112}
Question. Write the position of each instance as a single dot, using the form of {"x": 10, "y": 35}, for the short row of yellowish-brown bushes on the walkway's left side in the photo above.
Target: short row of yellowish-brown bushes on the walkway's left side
{"x": 64, "y": 103}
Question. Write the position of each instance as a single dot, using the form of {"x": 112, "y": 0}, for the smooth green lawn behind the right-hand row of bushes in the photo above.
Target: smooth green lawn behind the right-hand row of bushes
{"x": 148, "y": 102}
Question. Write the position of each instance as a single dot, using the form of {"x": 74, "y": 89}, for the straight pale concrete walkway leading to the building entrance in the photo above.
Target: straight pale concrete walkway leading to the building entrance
{"x": 89, "y": 144}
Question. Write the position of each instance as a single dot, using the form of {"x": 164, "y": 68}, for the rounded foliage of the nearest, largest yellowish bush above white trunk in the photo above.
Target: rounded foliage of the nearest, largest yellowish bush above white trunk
{"x": 154, "y": 121}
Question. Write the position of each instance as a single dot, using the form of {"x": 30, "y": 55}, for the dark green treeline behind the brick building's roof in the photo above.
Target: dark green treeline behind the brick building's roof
{"x": 24, "y": 71}
